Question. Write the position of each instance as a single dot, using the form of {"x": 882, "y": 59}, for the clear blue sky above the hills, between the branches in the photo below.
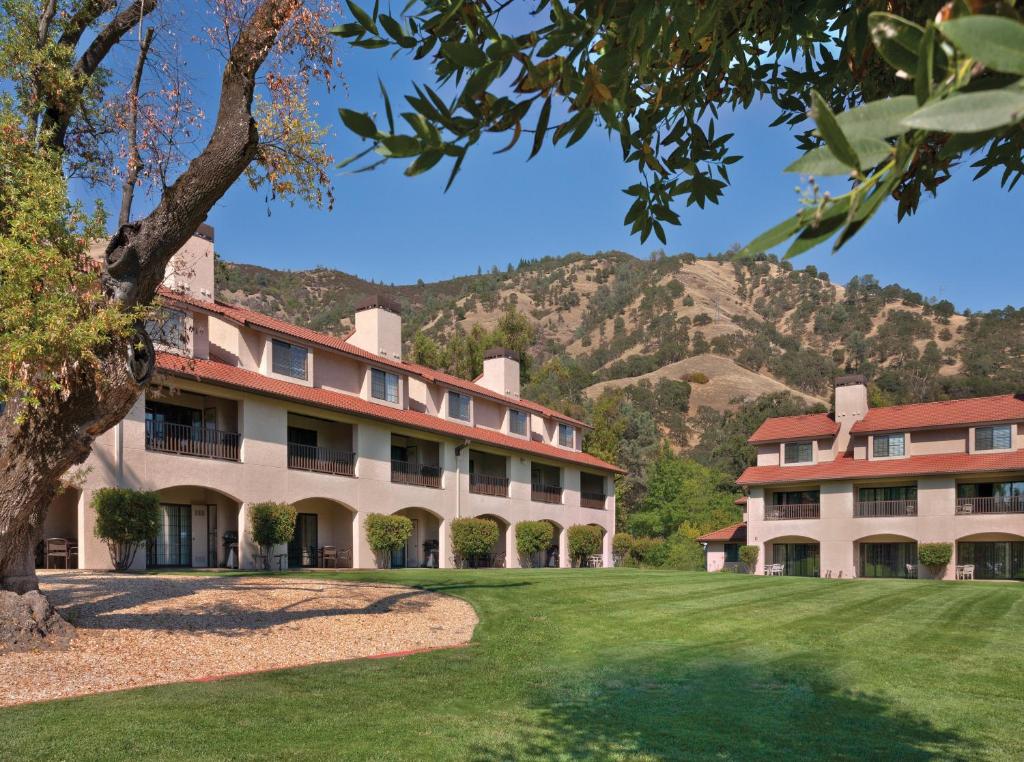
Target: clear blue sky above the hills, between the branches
{"x": 965, "y": 246}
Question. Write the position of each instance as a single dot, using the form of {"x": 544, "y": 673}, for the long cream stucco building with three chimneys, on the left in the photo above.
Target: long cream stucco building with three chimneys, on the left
{"x": 246, "y": 408}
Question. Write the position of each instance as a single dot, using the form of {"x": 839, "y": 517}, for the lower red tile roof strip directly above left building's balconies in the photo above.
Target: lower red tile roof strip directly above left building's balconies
{"x": 226, "y": 375}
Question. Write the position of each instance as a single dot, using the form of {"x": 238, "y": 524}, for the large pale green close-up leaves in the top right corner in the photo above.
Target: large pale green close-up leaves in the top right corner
{"x": 963, "y": 99}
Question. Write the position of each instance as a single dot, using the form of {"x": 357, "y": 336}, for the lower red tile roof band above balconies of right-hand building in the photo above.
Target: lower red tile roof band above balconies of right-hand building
{"x": 847, "y": 468}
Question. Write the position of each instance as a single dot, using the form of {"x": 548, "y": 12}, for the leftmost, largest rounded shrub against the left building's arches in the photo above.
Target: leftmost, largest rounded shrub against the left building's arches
{"x": 125, "y": 520}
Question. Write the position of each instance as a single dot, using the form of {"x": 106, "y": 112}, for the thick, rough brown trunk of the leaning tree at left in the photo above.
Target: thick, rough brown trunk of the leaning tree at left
{"x": 39, "y": 445}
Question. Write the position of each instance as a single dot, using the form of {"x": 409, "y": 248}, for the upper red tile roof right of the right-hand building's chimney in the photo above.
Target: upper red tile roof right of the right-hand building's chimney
{"x": 946, "y": 414}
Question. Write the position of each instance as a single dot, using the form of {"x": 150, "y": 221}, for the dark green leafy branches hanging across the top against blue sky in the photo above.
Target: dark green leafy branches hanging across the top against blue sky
{"x": 655, "y": 76}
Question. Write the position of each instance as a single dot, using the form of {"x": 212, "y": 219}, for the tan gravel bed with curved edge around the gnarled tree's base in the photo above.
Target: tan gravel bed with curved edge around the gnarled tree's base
{"x": 145, "y": 630}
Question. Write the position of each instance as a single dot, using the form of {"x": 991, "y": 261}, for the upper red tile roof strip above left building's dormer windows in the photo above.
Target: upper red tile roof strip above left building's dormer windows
{"x": 259, "y": 320}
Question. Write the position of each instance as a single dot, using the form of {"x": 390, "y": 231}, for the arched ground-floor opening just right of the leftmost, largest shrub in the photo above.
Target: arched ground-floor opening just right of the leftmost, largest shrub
{"x": 199, "y": 528}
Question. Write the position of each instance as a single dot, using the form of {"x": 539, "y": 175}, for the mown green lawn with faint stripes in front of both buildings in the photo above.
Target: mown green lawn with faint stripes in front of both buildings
{"x": 610, "y": 664}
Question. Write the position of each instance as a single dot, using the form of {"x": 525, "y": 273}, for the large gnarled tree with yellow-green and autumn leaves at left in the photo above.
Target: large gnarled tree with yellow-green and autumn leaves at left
{"x": 99, "y": 92}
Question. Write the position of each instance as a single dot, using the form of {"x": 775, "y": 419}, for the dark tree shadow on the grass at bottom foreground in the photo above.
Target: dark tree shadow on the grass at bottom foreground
{"x": 721, "y": 710}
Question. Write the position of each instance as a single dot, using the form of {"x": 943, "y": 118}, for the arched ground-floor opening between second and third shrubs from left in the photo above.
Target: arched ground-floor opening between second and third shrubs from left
{"x": 324, "y": 534}
